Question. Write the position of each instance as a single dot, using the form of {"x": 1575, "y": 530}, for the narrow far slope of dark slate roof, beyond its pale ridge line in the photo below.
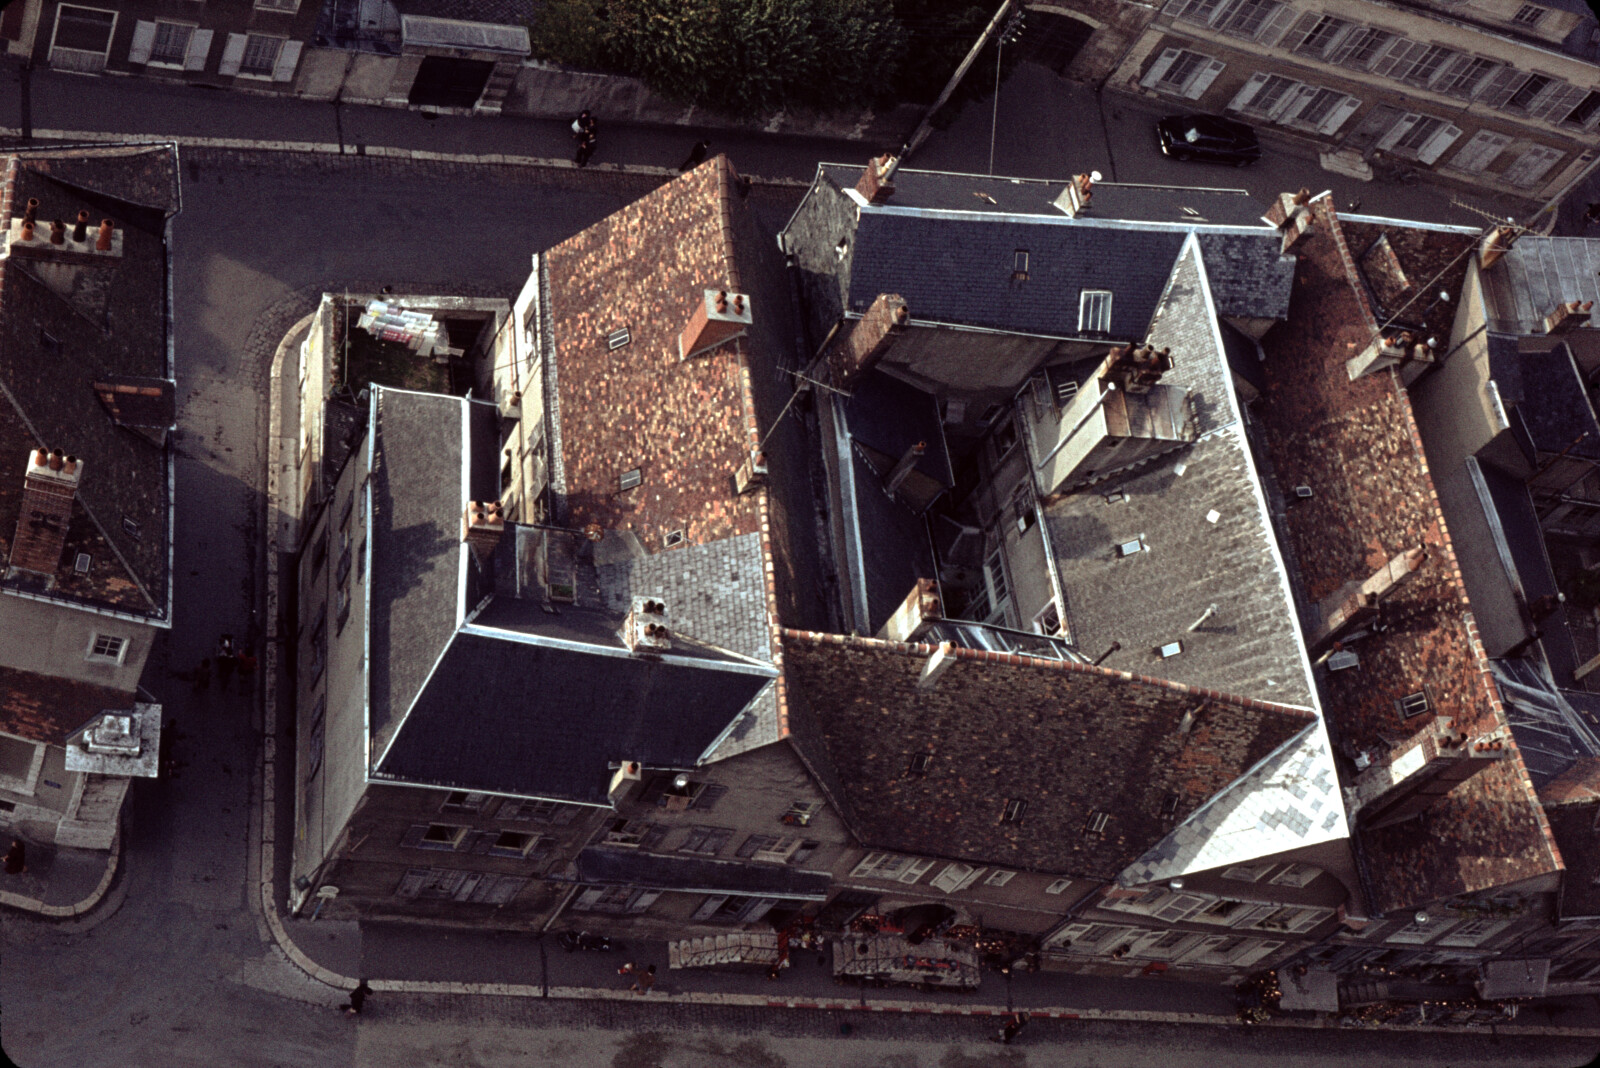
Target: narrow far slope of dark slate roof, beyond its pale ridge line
{"x": 1030, "y": 196}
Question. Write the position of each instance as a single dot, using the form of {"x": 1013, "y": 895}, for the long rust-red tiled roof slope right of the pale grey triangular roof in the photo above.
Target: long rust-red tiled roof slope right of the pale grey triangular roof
{"x": 1358, "y": 447}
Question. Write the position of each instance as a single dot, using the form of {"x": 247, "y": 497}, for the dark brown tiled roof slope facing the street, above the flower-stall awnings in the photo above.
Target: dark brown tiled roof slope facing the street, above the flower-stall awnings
{"x": 1065, "y": 738}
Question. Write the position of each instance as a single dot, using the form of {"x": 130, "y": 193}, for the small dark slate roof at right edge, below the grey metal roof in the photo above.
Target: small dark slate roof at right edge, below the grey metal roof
{"x": 1546, "y": 393}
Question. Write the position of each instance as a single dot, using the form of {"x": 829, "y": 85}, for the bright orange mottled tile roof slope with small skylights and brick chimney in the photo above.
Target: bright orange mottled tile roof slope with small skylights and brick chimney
{"x": 686, "y": 424}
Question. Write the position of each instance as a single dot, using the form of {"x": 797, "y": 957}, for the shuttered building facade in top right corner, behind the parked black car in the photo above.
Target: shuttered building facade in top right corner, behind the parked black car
{"x": 1478, "y": 126}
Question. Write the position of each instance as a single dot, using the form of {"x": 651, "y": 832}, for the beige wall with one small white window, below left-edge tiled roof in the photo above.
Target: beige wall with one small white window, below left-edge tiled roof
{"x": 58, "y": 640}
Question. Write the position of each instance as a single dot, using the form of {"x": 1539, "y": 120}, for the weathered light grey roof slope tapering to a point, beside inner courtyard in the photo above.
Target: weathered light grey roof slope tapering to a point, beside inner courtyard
{"x": 1250, "y": 645}
